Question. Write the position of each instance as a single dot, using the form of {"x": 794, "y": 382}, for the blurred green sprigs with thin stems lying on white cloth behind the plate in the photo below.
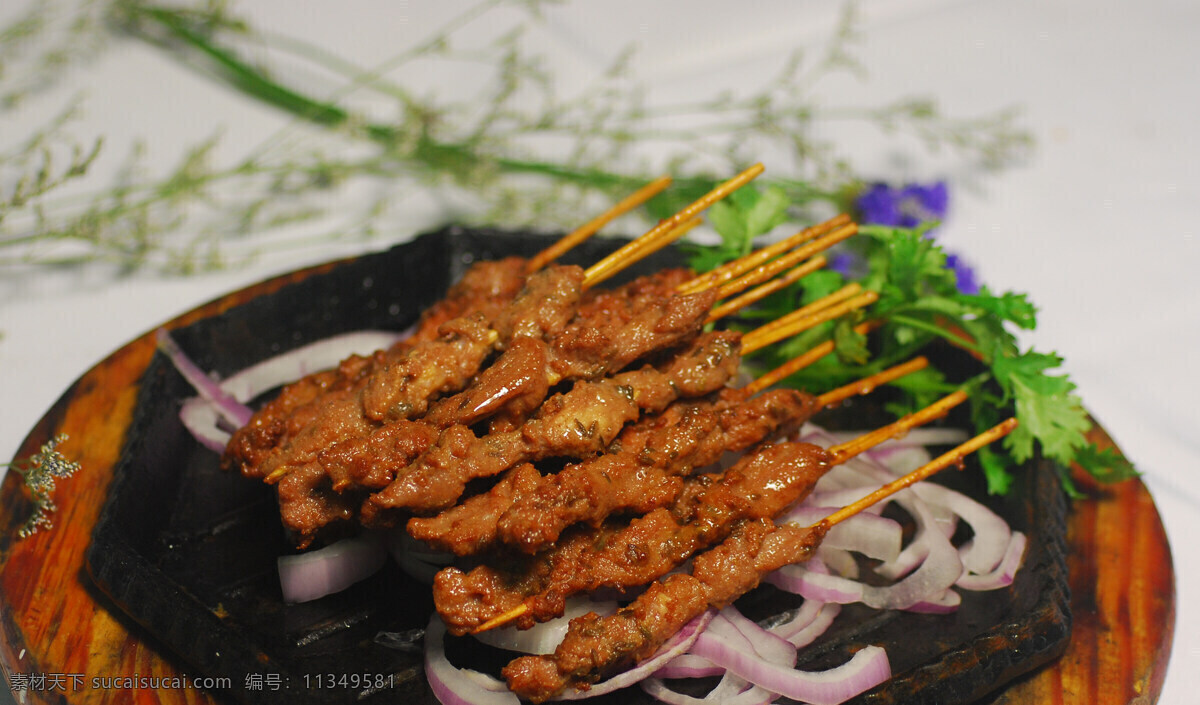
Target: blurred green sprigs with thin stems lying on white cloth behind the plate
{"x": 482, "y": 144}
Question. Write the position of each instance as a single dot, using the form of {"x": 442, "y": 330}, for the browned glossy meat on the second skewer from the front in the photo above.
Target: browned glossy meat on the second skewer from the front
{"x": 627, "y": 556}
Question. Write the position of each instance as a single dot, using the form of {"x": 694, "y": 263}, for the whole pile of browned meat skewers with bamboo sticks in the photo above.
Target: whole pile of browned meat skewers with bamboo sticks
{"x": 560, "y": 439}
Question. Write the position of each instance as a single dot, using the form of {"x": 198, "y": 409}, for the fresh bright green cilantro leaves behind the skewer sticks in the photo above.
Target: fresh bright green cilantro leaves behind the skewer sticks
{"x": 920, "y": 303}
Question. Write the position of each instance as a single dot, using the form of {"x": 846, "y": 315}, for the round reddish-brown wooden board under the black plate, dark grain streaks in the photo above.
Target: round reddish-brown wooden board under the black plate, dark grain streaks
{"x": 63, "y": 643}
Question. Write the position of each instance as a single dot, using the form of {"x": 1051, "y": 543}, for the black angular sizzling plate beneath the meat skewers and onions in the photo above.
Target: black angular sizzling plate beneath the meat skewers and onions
{"x": 189, "y": 551}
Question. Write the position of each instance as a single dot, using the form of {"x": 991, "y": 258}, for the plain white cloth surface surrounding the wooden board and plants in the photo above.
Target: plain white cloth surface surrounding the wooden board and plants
{"x": 1099, "y": 227}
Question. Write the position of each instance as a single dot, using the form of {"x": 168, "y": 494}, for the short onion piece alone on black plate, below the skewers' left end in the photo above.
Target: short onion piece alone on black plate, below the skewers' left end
{"x": 317, "y": 574}
